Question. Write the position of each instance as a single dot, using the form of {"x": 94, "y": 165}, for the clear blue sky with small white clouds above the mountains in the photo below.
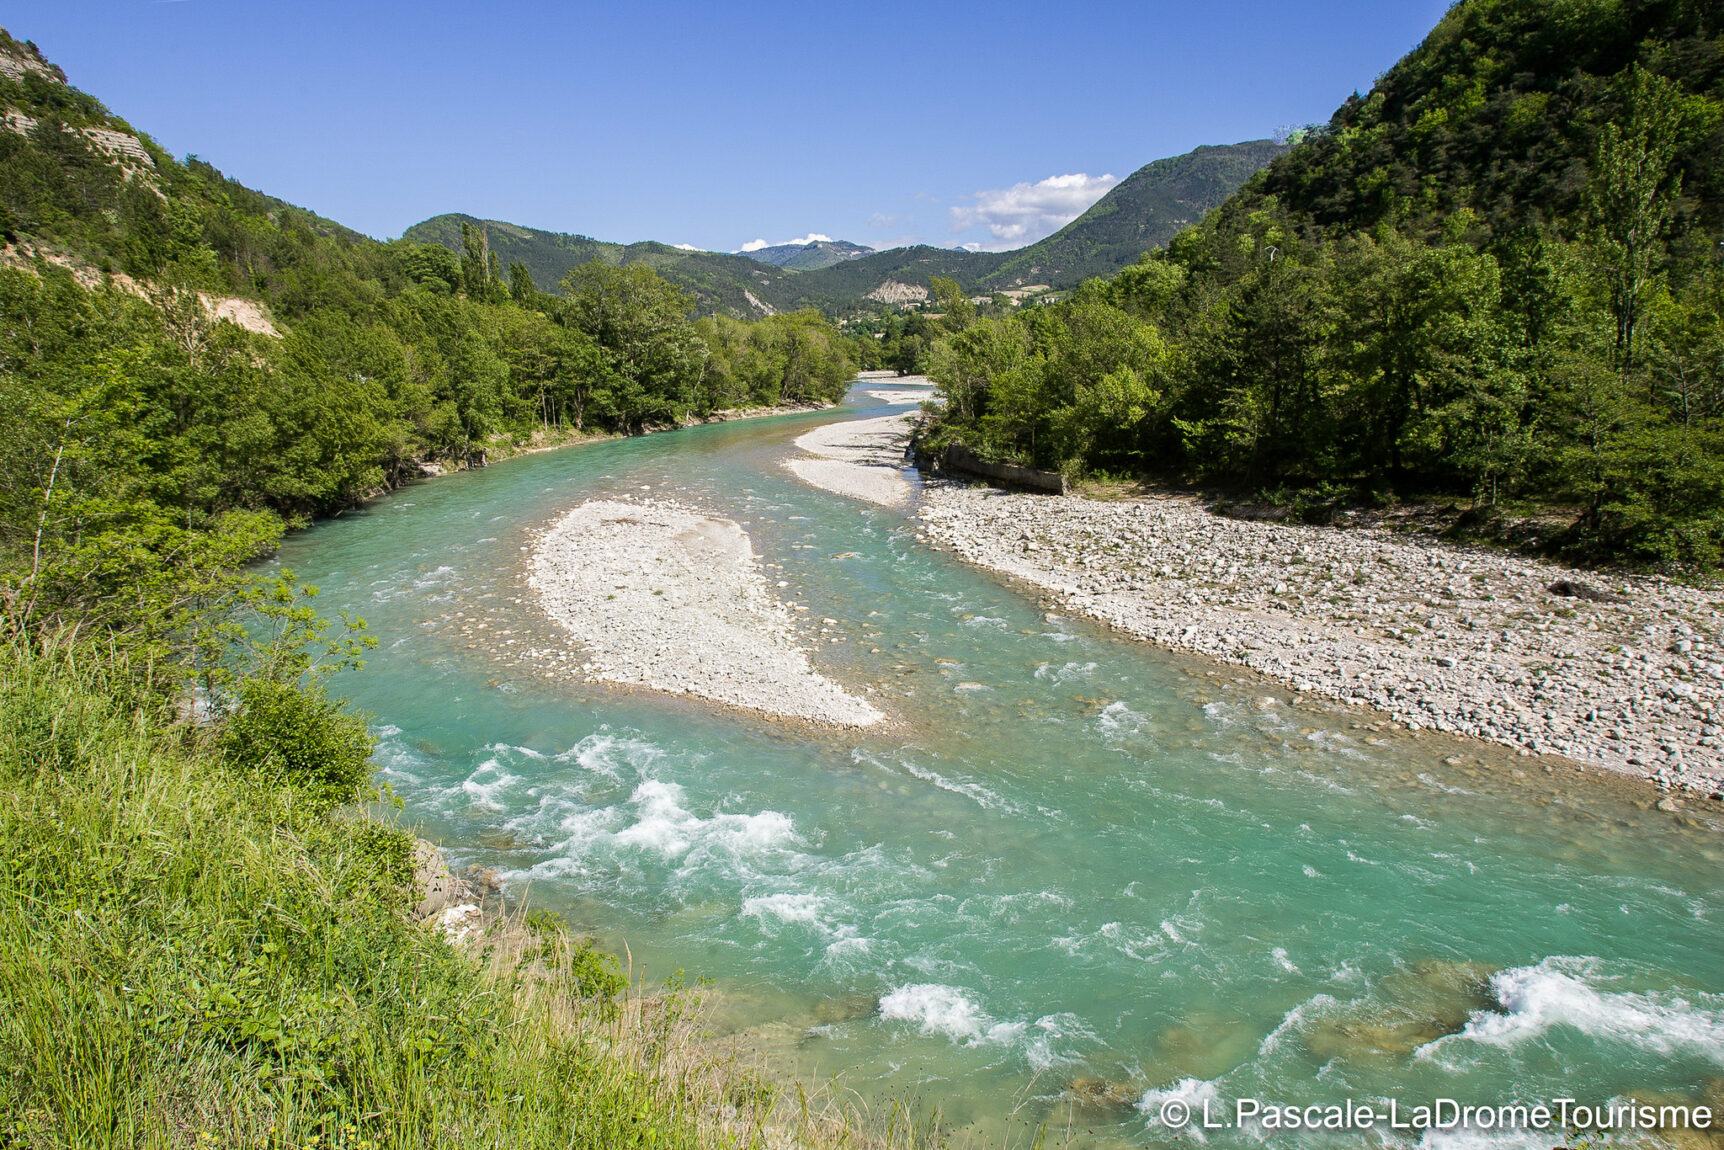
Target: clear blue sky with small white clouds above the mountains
{"x": 715, "y": 125}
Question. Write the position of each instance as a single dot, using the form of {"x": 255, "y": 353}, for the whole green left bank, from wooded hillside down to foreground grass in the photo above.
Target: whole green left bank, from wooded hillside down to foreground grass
{"x": 204, "y": 939}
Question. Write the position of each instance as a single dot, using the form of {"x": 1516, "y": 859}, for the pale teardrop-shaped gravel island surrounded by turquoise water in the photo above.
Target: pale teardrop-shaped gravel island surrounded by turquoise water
{"x": 666, "y": 597}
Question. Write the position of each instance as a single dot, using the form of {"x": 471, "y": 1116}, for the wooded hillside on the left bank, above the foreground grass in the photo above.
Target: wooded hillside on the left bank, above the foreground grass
{"x": 149, "y": 441}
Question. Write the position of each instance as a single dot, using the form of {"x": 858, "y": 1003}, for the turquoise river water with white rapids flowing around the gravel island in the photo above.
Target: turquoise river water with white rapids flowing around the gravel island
{"x": 1075, "y": 878}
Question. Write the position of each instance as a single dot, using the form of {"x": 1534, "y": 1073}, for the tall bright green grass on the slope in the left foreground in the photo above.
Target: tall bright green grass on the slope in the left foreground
{"x": 203, "y": 956}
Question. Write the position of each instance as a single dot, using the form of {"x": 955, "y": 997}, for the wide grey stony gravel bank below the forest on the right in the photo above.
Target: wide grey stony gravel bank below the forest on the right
{"x": 1621, "y": 673}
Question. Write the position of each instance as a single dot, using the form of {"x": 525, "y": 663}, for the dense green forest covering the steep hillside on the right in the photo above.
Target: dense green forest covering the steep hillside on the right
{"x": 1496, "y": 277}
